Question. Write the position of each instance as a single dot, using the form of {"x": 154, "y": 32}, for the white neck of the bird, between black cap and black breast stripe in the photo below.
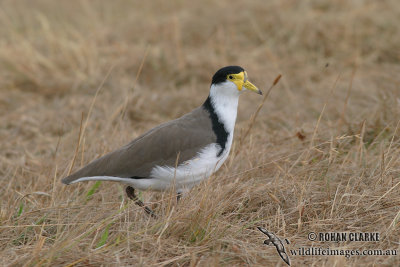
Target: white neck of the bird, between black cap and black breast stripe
{"x": 225, "y": 99}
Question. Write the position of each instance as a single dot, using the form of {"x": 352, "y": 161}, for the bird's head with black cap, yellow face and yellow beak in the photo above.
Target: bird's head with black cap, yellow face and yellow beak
{"x": 237, "y": 75}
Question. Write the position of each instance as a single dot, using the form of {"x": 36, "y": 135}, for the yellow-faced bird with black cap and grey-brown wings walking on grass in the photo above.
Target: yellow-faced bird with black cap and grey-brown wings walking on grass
{"x": 179, "y": 153}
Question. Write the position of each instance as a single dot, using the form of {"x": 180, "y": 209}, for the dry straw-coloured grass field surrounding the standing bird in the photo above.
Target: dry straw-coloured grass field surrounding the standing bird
{"x": 81, "y": 78}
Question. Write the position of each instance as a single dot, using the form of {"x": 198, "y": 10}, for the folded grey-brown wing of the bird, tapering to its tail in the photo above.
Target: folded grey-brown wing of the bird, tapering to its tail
{"x": 161, "y": 146}
